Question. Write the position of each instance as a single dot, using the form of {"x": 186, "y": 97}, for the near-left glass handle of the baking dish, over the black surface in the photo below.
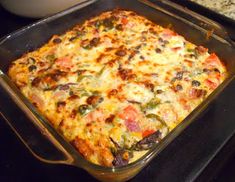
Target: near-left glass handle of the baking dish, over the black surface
{"x": 36, "y": 140}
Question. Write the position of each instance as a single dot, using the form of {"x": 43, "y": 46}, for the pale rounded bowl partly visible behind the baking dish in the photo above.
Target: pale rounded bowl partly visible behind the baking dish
{"x": 37, "y": 8}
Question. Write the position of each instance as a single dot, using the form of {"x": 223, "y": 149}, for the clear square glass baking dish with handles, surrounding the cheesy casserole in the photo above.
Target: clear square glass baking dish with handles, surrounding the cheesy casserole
{"x": 35, "y": 131}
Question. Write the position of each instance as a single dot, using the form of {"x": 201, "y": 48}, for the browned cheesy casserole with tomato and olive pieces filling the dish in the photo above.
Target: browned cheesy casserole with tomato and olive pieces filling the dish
{"x": 117, "y": 84}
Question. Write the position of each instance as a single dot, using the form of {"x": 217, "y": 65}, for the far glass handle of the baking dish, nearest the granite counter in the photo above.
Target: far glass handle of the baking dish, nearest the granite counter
{"x": 193, "y": 18}
